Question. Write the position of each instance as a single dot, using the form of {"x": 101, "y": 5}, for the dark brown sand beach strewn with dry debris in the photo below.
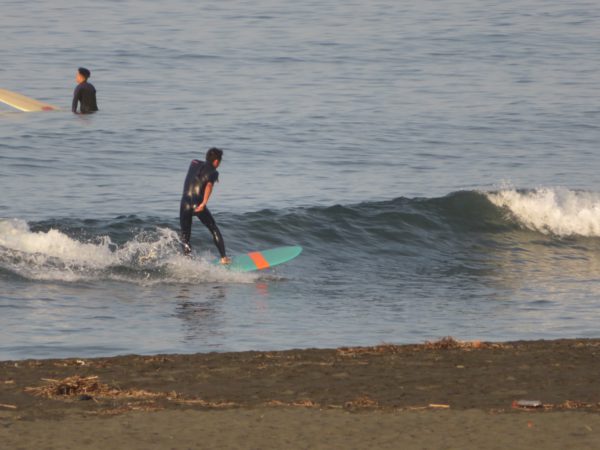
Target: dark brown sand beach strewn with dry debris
{"x": 442, "y": 395}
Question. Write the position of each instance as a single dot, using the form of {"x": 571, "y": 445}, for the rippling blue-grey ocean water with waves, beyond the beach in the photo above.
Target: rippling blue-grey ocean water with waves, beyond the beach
{"x": 436, "y": 160}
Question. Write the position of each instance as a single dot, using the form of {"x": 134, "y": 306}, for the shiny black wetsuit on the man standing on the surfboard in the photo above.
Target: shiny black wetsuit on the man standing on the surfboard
{"x": 199, "y": 175}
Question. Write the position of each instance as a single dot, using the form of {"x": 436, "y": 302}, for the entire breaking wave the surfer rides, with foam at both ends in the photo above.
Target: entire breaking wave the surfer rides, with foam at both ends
{"x": 146, "y": 250}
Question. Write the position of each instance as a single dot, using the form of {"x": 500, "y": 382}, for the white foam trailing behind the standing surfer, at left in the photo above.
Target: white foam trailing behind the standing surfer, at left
{"x": 150, "y": 257}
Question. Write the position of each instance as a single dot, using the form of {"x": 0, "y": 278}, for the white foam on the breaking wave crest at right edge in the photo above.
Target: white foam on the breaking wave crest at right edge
{"x": 558, "y": 211}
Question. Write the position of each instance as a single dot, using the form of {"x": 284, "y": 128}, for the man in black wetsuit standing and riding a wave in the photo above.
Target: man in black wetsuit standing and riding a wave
{"x": 198, "y": 186}
